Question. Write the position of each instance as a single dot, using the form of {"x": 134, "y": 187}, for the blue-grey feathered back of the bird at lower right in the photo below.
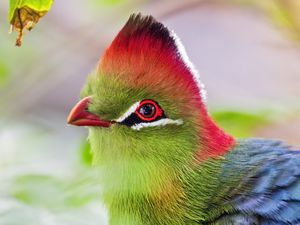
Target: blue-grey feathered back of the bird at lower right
{"x": 264, "y": 177}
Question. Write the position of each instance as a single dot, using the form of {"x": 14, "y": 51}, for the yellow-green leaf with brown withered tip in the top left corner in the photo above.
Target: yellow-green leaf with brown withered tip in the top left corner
{"x": 25, "y": 14}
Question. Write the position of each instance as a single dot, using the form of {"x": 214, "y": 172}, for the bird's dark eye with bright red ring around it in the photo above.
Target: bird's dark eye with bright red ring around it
{"x": 149, "y": 110}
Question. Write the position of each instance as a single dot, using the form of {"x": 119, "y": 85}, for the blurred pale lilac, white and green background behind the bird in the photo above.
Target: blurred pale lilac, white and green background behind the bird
{"x": 247, "y": 53}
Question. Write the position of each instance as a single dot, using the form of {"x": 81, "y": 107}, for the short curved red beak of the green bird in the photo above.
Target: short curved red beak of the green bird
{"x": 80, "y": 116}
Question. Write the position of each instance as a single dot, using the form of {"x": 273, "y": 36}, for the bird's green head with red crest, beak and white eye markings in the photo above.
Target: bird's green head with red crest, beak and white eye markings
{"x": 144, "y": 104}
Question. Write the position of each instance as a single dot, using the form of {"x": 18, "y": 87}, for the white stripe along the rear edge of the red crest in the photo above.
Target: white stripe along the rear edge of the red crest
{"x": 190, "y": 65}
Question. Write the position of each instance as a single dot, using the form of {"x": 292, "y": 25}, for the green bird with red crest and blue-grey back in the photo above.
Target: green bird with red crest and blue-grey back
{"x": 162, "y": 159}
